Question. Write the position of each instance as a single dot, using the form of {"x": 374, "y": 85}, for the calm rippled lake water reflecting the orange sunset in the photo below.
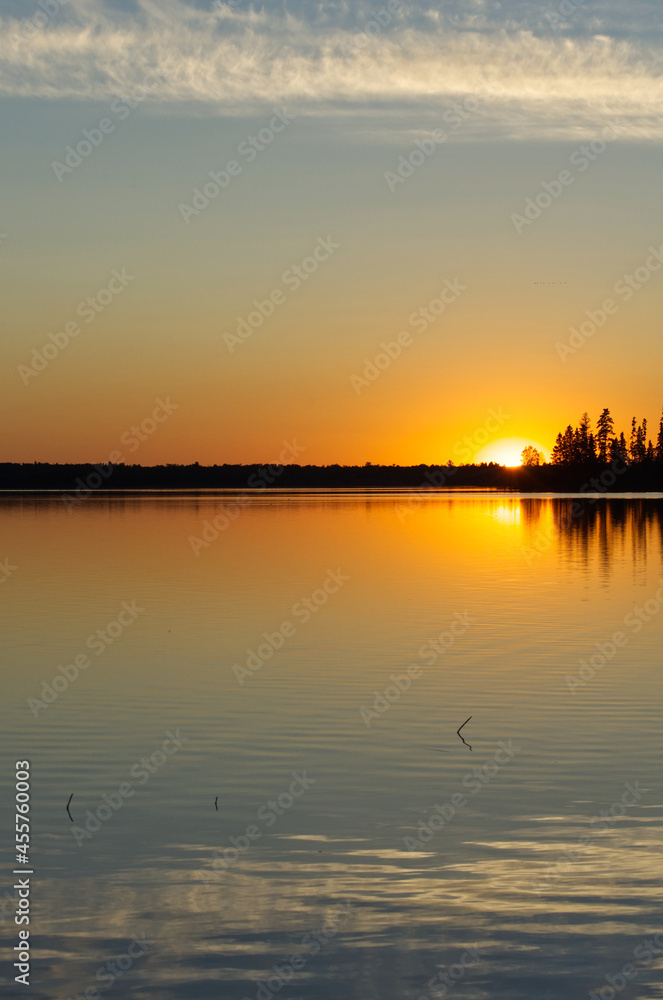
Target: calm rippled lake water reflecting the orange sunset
{"x": 358, "y": 848}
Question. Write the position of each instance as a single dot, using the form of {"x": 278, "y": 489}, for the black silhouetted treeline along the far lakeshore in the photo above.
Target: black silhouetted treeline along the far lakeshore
{"x": 583, "y": 460}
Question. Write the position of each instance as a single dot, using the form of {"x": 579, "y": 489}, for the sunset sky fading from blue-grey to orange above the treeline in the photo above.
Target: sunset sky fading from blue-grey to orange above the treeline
{"x": 391, "y": 232}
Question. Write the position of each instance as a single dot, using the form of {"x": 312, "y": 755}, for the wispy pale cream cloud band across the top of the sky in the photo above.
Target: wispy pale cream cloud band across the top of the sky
{"x": 238, "y": 60}
